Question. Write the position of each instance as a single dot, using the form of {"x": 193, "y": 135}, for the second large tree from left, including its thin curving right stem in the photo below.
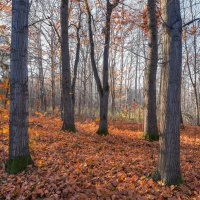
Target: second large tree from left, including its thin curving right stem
{"x": 68, "y": 85}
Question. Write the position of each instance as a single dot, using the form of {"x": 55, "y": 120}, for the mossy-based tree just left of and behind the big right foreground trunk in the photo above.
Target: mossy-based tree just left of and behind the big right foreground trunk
{"x": 150, "y": 118}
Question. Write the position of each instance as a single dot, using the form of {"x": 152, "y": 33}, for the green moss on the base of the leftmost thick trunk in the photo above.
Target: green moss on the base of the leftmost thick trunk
{"x": 18, "y": 164}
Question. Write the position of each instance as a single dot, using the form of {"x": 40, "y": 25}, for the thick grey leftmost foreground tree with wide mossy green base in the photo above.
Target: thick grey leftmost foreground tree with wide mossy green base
{"x": 19, "y": 155}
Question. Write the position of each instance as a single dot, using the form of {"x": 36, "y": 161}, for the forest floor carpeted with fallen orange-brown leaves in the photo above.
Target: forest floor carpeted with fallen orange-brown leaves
{"x": 85, "y": 166}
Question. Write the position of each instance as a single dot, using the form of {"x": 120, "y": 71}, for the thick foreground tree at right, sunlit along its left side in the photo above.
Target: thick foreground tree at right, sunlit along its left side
{"x": 169, "y": 156}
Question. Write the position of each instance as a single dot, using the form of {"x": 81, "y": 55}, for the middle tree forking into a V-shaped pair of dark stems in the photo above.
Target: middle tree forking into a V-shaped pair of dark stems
{"x": 103, "y": 89}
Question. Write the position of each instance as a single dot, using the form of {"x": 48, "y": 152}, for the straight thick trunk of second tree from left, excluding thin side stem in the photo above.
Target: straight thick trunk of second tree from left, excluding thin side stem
{"x": 68, "y": 118}
